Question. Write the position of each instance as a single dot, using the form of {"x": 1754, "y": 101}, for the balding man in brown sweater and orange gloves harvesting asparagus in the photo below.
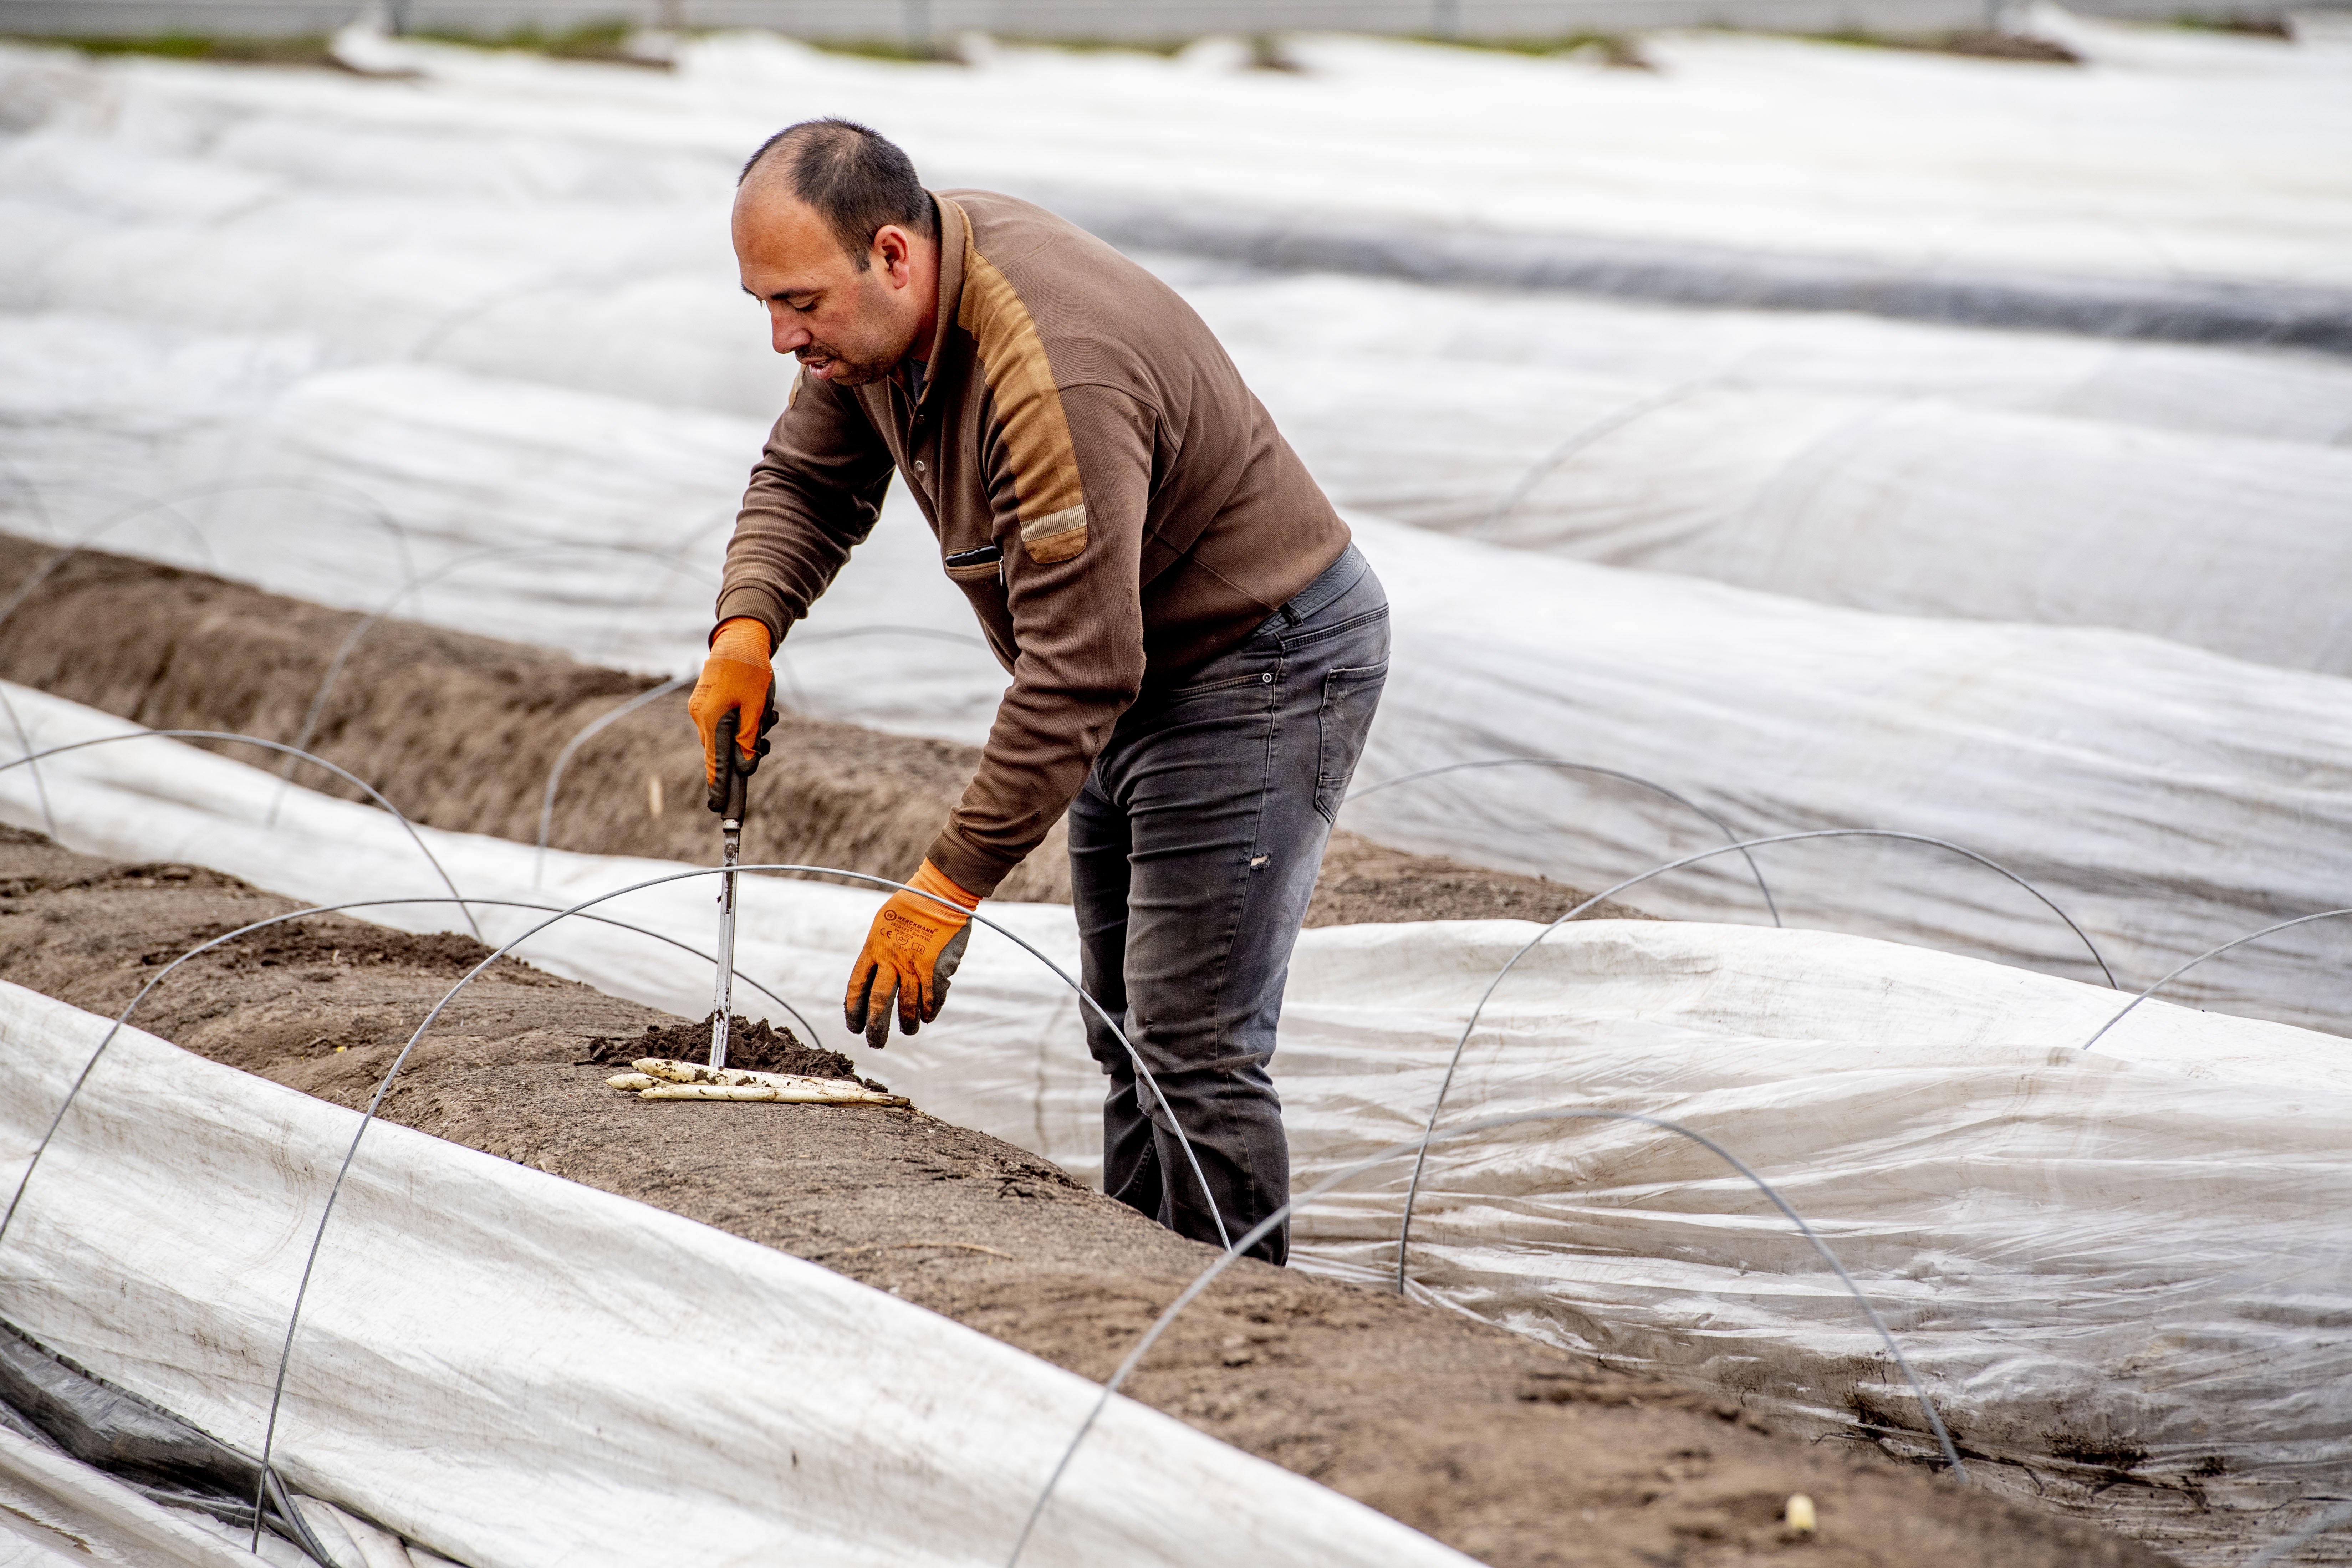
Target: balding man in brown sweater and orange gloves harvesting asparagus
{"x": 1196, "y": 648}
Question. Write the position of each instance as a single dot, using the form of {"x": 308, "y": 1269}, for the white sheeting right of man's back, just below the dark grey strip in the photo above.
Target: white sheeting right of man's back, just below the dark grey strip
{"x": 1909, "y": 507}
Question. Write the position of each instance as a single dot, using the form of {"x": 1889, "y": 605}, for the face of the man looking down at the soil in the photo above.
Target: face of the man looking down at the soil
{"x": 843, "y": 321}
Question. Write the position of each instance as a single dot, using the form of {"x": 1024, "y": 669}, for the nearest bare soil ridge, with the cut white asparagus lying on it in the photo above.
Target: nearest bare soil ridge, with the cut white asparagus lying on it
{"x": 1506, "y": 1449}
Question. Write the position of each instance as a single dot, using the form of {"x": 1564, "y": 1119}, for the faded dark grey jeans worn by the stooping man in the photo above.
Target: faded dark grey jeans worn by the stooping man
{"x": 1194, "y": 855}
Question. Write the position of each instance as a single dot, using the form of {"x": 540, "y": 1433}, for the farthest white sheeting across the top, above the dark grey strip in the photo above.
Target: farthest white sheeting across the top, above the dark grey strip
{"x": 2219, "y": 161}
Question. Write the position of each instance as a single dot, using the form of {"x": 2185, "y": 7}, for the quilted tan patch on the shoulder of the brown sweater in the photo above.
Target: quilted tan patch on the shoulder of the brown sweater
{"x": 1029, "y": 408}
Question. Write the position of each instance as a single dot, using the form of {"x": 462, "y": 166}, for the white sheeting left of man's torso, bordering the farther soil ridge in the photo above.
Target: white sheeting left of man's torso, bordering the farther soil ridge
{"x": 523, "y": 511}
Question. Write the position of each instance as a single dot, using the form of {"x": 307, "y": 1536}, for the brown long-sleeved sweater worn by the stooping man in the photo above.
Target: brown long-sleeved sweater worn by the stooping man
{"x": 1107, "y": 492}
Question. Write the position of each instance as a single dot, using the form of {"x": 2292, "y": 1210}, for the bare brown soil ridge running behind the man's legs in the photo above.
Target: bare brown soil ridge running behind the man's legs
{"x": 460, "y": 732}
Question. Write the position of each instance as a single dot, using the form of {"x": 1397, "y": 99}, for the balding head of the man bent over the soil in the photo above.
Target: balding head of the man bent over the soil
{"x": 838, "y": 239}
